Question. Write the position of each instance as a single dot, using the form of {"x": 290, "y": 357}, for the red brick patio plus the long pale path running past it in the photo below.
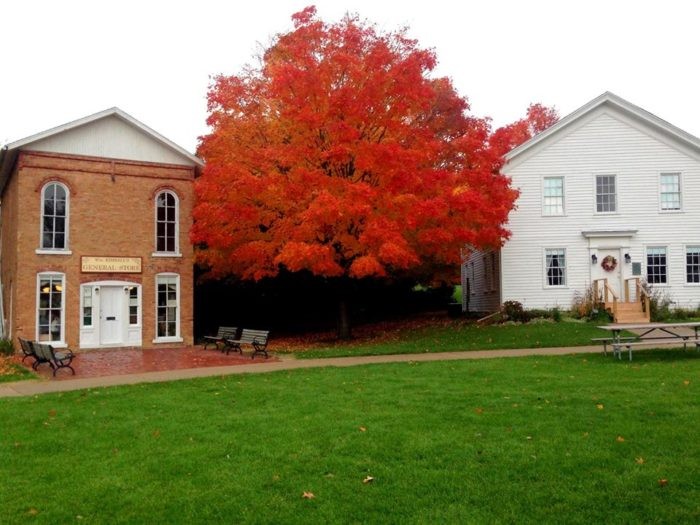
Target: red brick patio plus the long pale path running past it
{"x": 150, "y": 369}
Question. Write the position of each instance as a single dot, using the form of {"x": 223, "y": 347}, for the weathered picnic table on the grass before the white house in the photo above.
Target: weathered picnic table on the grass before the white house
{"x": 651, "y": 333}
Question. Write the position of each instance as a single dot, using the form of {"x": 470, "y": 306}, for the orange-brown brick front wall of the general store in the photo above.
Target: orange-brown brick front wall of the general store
{"x": 111, "y": 213}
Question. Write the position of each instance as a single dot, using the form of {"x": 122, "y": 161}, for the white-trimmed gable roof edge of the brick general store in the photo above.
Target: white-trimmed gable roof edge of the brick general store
{"x": 8, "y": 154}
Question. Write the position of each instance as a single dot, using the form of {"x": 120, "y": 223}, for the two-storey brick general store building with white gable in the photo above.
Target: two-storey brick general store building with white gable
{"x": 95, "y": 235}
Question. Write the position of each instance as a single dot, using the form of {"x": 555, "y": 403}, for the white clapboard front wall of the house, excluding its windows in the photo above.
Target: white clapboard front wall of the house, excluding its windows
{"x": 605, "y": 142}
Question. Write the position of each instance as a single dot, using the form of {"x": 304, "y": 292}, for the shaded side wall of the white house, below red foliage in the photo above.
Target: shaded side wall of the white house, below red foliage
{"x": 482, "y": 270}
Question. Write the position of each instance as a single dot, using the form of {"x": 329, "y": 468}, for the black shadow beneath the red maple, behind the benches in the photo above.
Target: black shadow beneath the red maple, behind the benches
{"x": 294, "y": 303}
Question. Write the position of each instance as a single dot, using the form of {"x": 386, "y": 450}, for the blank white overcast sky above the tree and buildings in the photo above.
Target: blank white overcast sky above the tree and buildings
{"x": 63, "y": 60}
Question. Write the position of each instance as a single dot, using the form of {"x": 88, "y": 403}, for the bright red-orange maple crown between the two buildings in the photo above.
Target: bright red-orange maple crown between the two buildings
{"x": 340, "y": 156}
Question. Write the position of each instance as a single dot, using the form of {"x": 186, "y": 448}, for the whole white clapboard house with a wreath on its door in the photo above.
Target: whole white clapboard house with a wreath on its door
{"x": 609, "y": 198}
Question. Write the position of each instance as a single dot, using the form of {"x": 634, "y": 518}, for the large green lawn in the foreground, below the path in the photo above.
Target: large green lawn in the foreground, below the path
{"x": 576, "y": 439}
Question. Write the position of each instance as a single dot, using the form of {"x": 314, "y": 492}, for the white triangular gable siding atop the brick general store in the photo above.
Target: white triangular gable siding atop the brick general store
{"x": 110, "y": 137}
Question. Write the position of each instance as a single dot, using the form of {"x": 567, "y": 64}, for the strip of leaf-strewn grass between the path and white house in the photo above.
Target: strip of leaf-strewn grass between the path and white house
{"x": 459, "y": 336}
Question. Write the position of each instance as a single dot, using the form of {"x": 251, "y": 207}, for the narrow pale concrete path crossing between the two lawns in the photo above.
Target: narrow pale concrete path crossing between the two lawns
{"x": 43, "y": 386}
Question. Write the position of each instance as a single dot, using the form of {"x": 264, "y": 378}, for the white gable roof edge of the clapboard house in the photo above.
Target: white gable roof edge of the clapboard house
{"x": 619, "y": 104}
